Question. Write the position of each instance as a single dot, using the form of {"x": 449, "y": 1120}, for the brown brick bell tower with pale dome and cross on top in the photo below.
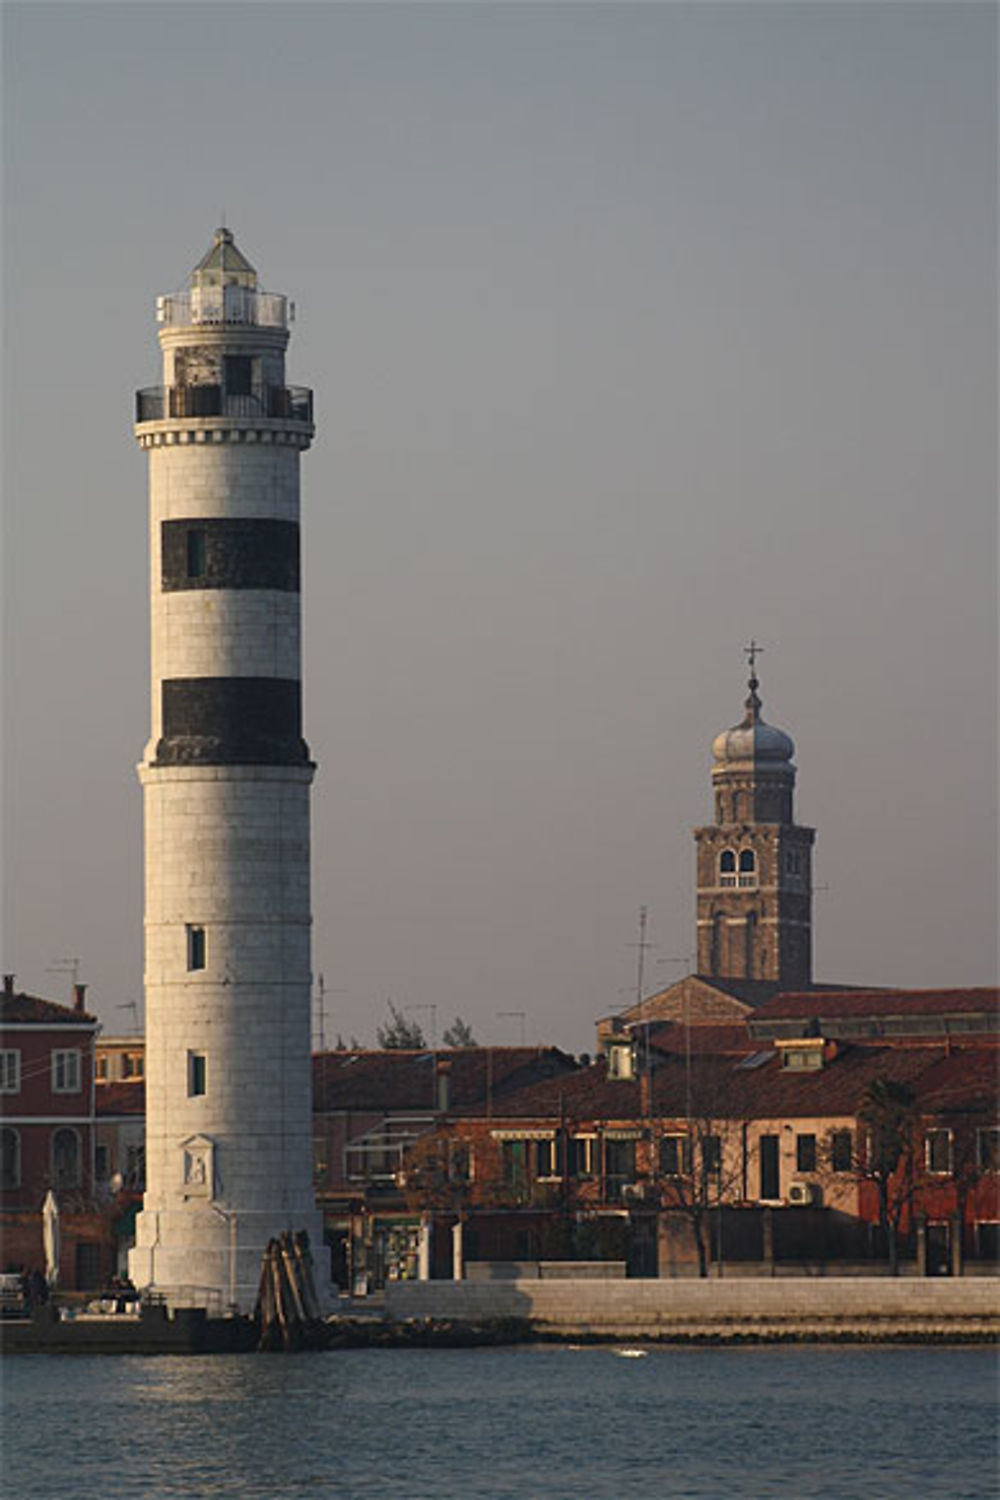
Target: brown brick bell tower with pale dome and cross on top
{"x": 755, "y": 883}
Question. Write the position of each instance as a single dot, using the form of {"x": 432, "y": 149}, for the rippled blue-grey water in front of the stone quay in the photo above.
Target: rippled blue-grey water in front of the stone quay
{"x": 543, "y": 1423}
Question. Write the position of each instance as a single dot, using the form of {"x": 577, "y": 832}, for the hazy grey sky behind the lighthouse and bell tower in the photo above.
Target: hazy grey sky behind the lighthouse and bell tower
{"x": 635, "y": 332}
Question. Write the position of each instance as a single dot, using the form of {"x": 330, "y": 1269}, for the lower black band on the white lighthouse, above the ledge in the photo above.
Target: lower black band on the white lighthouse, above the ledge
{"x": 232, "y": 721}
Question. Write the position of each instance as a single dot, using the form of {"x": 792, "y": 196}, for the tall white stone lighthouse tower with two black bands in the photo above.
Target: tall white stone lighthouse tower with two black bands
{"x": 226, "y": 779}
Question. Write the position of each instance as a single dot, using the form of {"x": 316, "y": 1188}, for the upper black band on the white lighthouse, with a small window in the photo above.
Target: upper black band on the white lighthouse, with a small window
{"x": 229, "y": 554}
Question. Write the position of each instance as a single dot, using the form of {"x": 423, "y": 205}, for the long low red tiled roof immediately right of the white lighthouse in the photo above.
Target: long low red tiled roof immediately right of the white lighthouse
{"x": 406, "y": 1081}
